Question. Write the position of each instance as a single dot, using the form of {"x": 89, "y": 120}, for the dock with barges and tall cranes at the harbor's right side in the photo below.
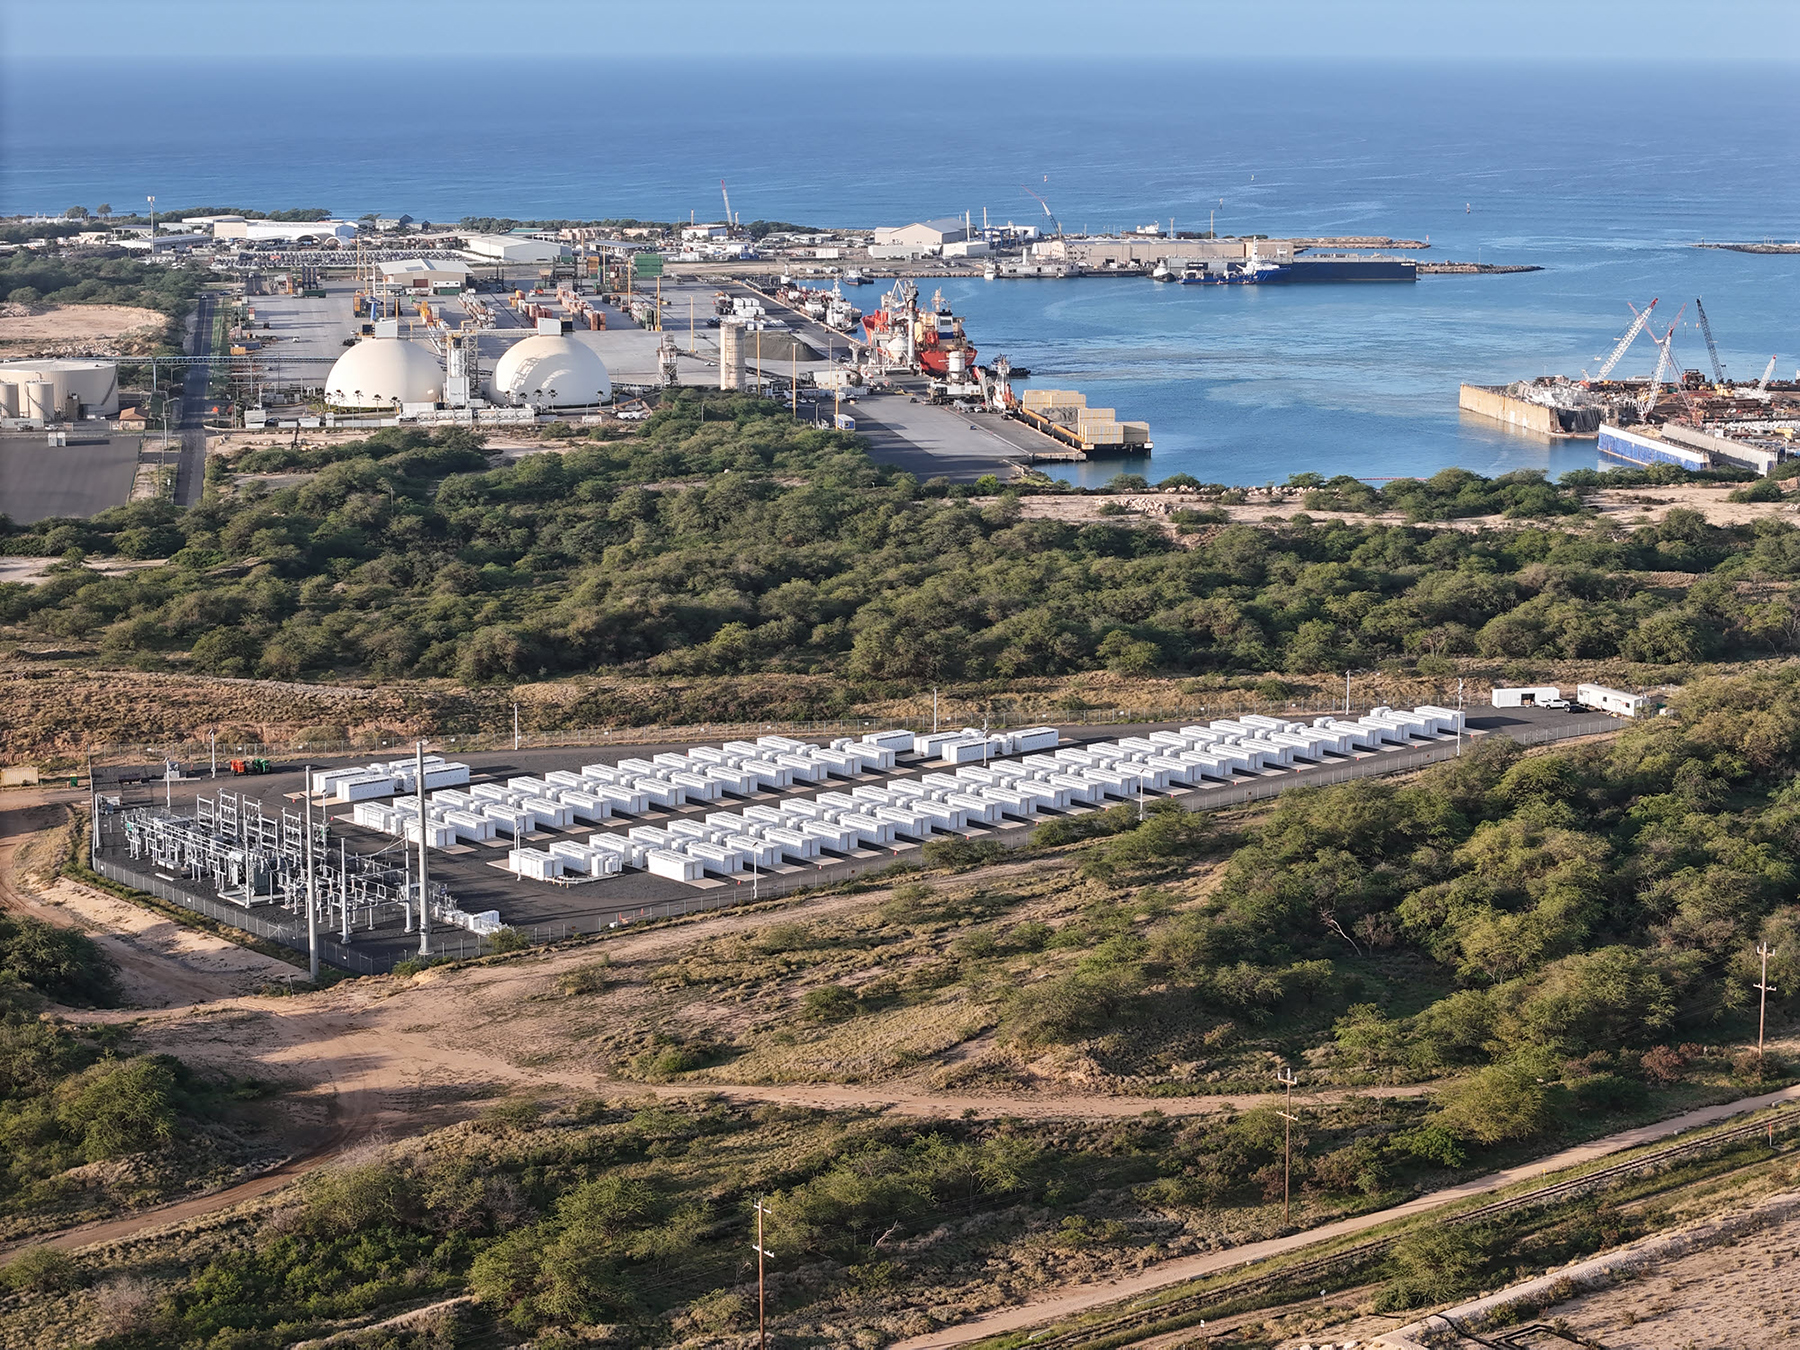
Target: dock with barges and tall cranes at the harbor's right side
{"x": 1673, "y": 417}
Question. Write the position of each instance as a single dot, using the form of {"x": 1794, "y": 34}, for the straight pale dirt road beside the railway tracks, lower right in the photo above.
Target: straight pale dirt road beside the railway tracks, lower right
{"x": 1088, "y": 1297}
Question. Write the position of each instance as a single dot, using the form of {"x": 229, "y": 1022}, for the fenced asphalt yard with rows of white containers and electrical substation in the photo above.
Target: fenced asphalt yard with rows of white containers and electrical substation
{"x": 568, "y": 841}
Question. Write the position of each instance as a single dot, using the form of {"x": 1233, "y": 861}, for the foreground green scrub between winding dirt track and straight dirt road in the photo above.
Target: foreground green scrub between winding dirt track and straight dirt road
{"x": 577, "y": 1216}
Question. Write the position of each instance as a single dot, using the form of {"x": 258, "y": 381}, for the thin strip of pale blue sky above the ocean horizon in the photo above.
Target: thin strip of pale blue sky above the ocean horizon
{"x": 1605, "y": 31}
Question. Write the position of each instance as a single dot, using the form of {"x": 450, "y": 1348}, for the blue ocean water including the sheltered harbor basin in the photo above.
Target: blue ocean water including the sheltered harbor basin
{"x": 1605, "y": 175}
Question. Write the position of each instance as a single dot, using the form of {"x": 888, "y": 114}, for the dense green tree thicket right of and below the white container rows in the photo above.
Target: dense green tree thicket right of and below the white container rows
{"x": 1569, "y": 930}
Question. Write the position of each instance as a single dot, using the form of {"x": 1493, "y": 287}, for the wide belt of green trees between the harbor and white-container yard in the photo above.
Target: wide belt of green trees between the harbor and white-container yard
{"x": 728, "y": 539}
